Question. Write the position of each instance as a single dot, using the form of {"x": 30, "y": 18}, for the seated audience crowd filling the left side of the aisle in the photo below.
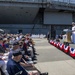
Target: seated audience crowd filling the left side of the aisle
{"x": 17, "y": 55}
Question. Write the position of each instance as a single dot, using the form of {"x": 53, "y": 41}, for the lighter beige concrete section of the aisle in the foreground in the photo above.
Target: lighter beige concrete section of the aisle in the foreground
{"x": 57, "y": 67}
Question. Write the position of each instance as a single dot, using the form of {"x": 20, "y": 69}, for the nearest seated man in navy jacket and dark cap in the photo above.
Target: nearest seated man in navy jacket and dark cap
{"x": 14, "y": 67}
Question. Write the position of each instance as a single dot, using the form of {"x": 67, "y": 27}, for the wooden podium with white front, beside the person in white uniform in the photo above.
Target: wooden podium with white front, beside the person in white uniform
{"x": 67, "y": 36}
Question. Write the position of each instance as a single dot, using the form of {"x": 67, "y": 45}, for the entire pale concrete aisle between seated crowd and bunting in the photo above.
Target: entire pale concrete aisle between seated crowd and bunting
{"x": 52, "y": 60}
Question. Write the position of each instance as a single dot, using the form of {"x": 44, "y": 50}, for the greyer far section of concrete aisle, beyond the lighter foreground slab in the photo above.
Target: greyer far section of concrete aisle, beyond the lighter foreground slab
{"x": 48, "y": 53}
